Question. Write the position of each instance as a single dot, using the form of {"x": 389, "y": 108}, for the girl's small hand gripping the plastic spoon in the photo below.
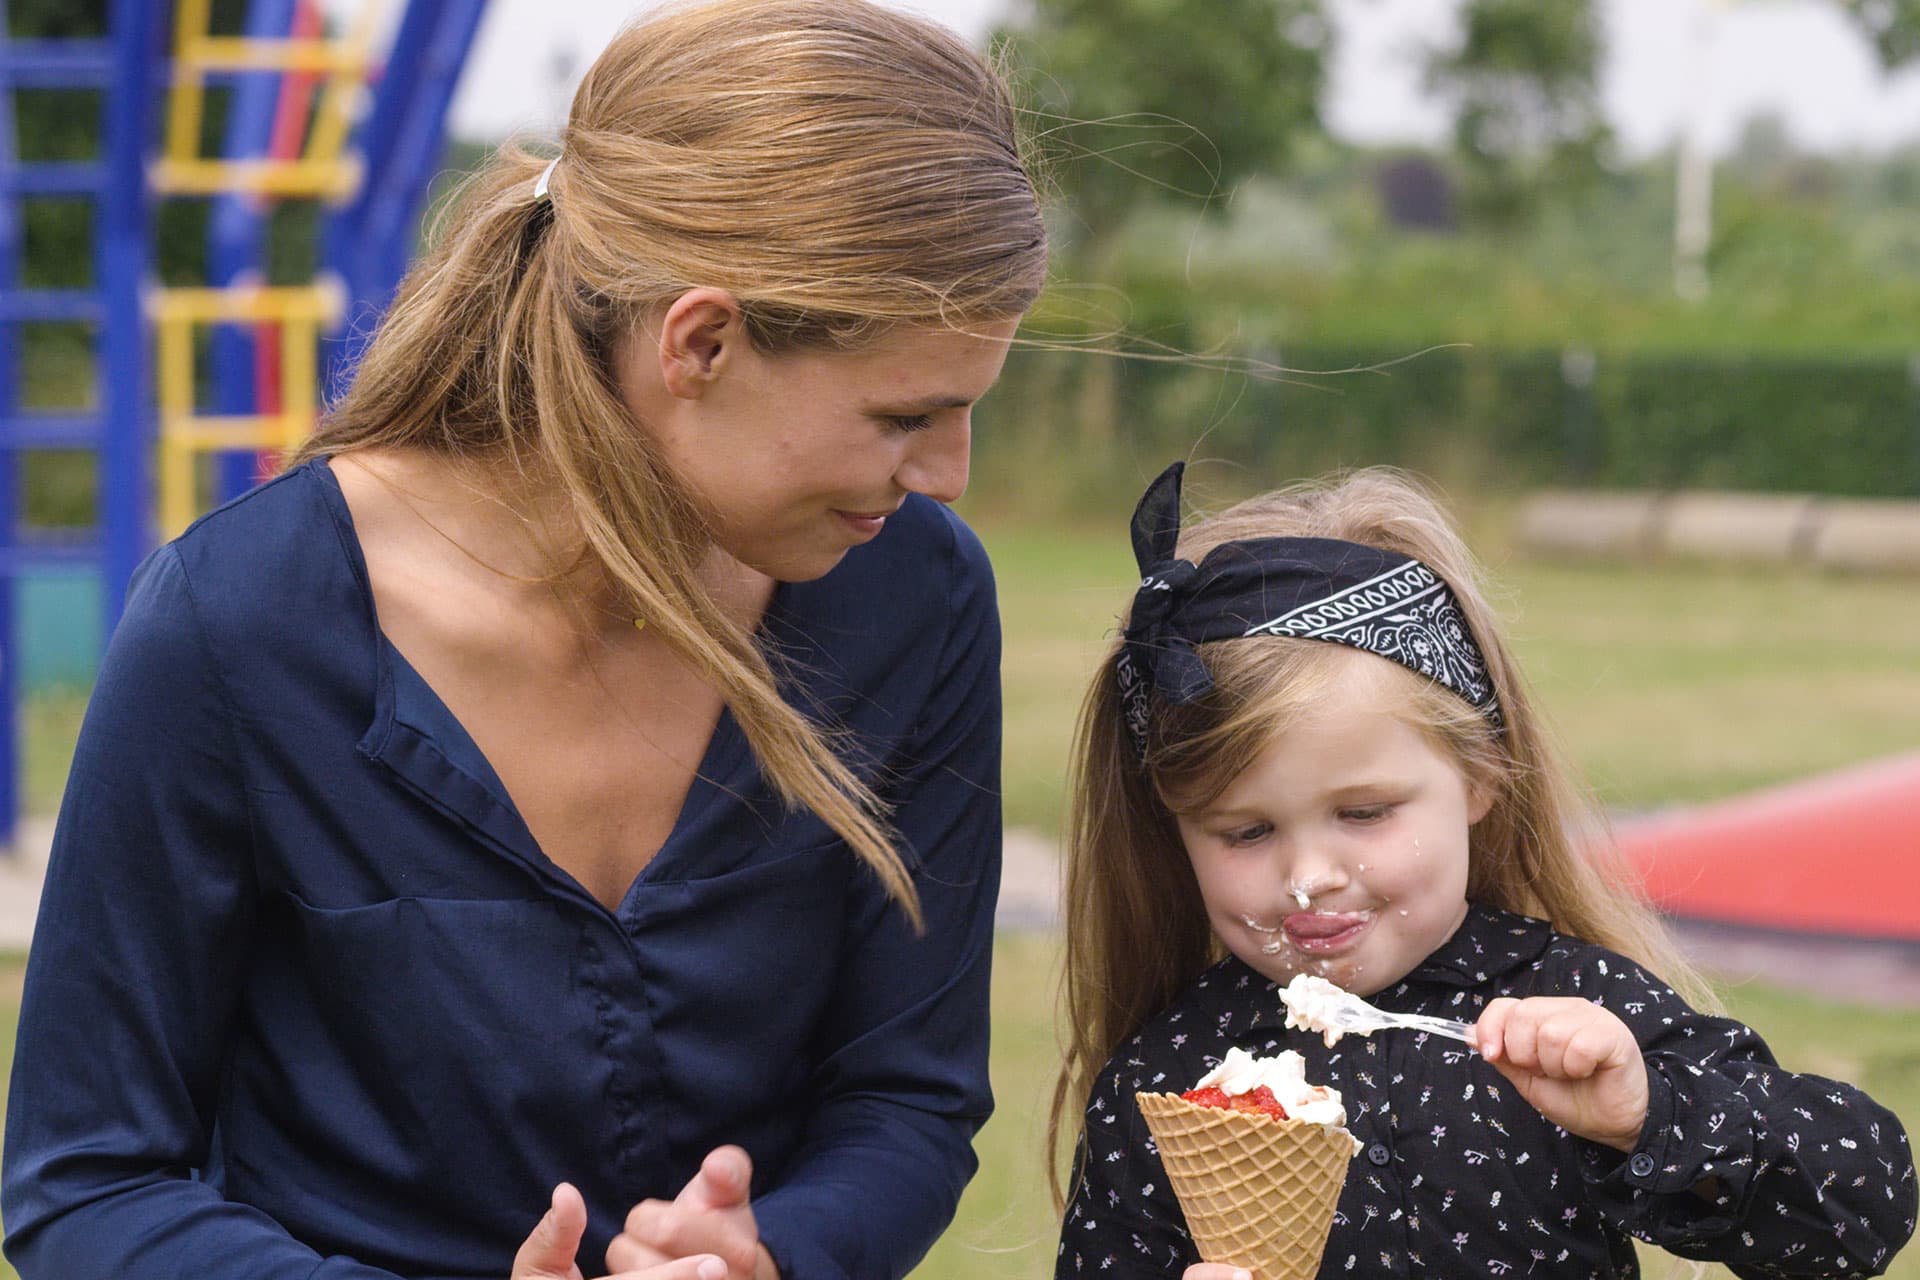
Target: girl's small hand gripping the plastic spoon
{"x": 1575, "y": 1062}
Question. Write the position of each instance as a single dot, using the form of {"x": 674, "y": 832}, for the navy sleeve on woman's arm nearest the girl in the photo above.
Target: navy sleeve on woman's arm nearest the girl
{"x": 901, "y": 1079}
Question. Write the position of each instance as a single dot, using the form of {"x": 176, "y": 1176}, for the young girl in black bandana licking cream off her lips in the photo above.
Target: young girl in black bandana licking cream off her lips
{"x": 1312, "y": 753}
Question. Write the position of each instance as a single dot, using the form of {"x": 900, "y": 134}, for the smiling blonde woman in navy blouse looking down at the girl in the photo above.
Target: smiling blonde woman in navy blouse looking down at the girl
{"x": 554, "y": 828}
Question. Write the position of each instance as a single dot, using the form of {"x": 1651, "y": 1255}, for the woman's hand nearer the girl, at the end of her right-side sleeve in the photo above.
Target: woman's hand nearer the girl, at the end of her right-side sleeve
{"x": 709, "y": 1218}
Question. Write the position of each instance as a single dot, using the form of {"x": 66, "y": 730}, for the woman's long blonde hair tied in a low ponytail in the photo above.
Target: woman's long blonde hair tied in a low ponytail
{"x": 838, "y": 168}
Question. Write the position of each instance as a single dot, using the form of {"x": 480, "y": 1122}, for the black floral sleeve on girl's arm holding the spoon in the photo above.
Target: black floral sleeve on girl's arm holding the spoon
{"x": 1742, "y": 1162}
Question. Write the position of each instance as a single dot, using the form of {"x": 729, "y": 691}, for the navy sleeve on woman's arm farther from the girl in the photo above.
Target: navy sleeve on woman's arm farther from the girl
{"x": 132, "y": 985}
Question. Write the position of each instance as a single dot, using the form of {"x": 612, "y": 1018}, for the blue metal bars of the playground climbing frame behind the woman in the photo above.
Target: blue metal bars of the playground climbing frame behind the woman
{"x": 366, "y": 243}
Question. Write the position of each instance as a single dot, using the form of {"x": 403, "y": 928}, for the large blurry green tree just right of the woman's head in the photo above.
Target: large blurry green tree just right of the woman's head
{"x": 1153, "y": 99}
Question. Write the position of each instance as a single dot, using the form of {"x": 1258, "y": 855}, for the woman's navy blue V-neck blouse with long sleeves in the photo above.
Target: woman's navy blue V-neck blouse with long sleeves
{"x": 306, "y": 1001}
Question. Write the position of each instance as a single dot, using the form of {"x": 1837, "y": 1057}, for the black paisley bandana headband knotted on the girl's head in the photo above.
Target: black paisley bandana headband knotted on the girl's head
{"x": 1312, "y": 588}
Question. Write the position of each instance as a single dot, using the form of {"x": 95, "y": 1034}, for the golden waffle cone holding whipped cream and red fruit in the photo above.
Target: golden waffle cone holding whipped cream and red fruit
{"x": 1257, "y": 1193}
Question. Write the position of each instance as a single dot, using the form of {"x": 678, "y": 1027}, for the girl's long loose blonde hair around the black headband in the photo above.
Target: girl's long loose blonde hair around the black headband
{"x": 1136, "y": 926}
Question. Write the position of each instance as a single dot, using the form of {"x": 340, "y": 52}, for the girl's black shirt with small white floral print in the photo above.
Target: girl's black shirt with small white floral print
{"x": 1740, "y": 1162}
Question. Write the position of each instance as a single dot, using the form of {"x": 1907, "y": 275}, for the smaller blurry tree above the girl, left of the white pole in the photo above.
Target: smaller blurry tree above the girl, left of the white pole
{"x": 1527, "y": 83}
